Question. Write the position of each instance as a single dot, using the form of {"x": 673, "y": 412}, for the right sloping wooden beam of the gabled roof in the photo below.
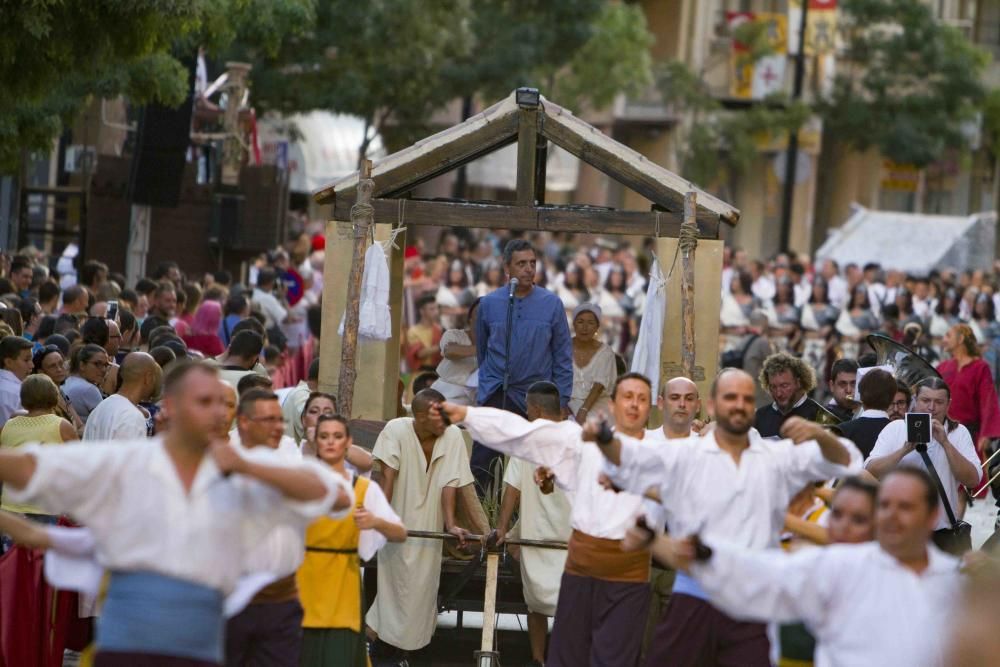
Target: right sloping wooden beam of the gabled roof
{"x": 630, "y": 168}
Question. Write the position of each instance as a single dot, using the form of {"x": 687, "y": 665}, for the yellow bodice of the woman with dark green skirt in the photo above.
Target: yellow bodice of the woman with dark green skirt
{"x": 329, "y": 578}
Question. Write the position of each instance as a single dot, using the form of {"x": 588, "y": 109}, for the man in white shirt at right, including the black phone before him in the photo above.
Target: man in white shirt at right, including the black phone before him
{"x": 943, "y": 447}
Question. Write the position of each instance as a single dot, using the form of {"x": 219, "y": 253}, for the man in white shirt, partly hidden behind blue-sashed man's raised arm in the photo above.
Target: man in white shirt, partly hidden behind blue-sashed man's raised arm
{"x": 269, "y": 630}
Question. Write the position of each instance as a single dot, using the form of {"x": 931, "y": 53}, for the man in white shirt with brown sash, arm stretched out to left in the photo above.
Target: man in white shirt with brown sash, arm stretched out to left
{"x": 604, "y": 592}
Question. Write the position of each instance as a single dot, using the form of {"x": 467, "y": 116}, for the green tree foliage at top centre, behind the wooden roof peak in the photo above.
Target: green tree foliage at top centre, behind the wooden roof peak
{"x": 396, "y": 62}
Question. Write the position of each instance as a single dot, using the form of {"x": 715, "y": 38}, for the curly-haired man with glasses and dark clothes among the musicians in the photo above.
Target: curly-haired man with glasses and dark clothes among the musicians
{"x": 789, "y": 380}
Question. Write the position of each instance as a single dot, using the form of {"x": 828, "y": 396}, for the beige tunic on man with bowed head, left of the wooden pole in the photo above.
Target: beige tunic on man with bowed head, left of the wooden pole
{"x": 404, "y": 613}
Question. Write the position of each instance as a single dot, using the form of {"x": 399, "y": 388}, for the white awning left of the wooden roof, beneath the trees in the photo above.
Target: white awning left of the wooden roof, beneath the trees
{"x": 316, "y": 147}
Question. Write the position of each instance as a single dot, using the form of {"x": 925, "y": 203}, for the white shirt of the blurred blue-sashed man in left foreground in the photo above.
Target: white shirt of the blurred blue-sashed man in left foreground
{"x": 129, "y": 495}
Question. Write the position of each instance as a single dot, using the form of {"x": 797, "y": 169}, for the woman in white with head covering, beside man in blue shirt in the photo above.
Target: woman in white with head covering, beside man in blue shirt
{"x": 594, "y": 369}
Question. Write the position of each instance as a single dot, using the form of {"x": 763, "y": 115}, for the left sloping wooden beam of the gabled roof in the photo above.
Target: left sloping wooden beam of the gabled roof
{"x": 395, "y": 174}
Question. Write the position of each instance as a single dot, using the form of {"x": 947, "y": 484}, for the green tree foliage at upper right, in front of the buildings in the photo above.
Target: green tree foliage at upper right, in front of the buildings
{"x": 905, "y": 84}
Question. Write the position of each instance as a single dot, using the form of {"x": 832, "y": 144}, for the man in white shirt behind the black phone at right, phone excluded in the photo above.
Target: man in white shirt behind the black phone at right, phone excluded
{"x": 950, "y": 450}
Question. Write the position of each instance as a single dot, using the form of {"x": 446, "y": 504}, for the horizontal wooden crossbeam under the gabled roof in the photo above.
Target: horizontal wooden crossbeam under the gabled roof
{"x": 583, "y": 220}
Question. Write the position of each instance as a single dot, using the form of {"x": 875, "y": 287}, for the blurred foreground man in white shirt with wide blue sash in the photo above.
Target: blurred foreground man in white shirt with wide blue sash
{"x": 172, "y": 519}
